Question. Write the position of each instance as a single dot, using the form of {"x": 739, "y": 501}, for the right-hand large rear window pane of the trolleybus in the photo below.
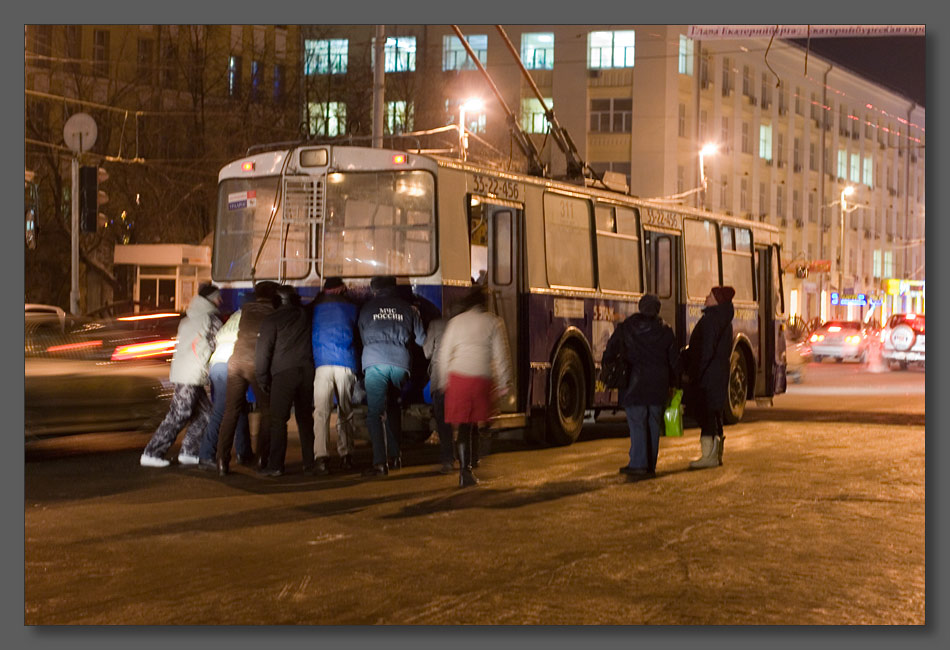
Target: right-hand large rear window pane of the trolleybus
{"x": 380, "y": 223}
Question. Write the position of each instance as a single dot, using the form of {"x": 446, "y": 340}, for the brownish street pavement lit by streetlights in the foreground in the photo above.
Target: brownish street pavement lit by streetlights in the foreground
{"x": 817, "y": 516}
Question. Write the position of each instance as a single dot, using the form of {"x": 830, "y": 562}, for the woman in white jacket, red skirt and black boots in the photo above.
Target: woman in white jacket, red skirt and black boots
{"x": 475, "y": 366}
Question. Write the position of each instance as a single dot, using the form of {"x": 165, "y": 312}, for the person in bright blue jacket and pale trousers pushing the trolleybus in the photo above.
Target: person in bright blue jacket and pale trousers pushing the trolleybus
{"x": 335, "y": 343}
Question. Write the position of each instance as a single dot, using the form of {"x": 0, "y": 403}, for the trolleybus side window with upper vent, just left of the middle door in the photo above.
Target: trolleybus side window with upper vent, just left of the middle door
{"x": 618, "y": 249}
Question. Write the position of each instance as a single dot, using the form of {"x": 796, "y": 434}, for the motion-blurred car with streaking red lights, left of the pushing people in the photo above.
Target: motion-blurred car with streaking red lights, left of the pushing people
{"x": 83, "y": 375}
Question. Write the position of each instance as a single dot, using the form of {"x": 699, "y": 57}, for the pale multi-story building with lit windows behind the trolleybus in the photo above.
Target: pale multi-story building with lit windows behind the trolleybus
{"x": 642, "y": 100}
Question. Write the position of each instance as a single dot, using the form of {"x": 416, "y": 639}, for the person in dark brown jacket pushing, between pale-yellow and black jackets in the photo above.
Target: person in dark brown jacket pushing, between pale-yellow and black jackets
{"x": 241, "y": 375}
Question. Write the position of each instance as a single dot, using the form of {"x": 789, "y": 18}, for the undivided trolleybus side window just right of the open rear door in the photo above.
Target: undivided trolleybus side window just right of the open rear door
{"x": 567, "y": 241}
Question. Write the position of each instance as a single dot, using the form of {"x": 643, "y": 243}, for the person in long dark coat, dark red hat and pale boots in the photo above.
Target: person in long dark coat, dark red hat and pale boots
{"x": 708, "y": 356}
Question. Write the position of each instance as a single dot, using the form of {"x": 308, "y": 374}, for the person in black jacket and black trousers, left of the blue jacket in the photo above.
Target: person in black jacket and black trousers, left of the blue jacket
{"x": 285, "y": 372}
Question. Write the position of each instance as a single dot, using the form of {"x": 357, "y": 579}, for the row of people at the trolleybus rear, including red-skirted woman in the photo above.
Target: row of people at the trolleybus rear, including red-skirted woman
{"x": 308, "y": 358}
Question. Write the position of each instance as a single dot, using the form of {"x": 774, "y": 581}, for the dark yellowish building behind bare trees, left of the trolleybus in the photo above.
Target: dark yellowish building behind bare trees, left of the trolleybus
{"x": 172, "y": 104}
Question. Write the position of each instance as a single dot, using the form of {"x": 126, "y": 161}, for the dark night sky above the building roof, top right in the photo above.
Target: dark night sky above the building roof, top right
{"x": 897, "y": 62}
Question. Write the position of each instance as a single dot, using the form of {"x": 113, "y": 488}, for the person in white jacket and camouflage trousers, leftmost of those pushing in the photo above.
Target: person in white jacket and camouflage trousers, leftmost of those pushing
{"x": 189, "y": 374}
